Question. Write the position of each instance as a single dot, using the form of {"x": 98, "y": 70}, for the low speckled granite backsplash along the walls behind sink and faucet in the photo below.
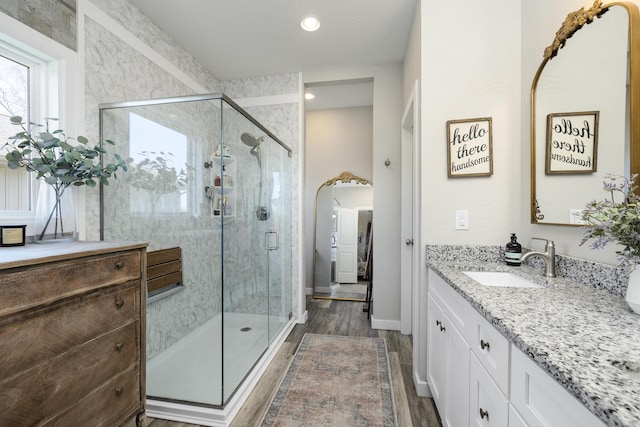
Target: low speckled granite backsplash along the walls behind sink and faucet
{"x": 601, "y": 276}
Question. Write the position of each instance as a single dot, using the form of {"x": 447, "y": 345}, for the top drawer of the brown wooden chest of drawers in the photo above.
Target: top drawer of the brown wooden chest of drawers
{"x": 23, "y": 288}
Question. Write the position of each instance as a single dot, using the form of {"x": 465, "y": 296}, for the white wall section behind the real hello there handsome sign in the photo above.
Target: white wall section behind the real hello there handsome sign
{"x": 475, "y": 73}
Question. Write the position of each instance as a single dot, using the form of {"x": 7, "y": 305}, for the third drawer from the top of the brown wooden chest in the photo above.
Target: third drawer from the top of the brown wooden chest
{"x": 35, "y": 395}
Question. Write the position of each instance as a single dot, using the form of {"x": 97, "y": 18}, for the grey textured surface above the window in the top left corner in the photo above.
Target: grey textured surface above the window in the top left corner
{"x": 55, "y": 19}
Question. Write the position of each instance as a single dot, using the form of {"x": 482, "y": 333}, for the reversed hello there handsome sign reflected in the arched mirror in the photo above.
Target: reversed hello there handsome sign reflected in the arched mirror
{"x": 572, "y": 142}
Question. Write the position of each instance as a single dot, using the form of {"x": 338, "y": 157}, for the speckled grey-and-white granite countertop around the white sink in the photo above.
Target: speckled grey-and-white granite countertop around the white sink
{"x": 587, "y": 339}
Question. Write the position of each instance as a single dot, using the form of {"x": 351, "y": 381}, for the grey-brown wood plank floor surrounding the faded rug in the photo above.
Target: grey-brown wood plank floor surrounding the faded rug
{"x": 333, "y": 317}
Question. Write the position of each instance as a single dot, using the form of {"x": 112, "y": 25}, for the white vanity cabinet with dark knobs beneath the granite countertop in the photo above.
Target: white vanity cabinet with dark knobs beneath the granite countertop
{"x": 471, "y": 365}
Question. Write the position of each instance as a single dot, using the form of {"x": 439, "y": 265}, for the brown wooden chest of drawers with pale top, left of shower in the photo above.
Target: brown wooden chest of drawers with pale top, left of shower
{"x": 72, "y": 334}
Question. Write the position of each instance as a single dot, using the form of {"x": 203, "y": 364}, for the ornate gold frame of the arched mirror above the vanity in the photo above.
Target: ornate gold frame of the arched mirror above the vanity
{"x": 573, "y": 23}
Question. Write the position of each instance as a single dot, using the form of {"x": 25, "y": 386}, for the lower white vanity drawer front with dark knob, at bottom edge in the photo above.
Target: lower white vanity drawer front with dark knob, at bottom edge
{"x": 488, "y": 406}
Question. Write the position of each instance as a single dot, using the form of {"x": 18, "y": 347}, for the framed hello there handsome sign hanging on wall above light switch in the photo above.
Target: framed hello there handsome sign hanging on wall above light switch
{"x": 469, "y": 147}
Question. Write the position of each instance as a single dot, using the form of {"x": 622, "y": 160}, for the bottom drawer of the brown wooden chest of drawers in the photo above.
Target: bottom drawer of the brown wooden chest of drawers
{"x": 115, "y": 400}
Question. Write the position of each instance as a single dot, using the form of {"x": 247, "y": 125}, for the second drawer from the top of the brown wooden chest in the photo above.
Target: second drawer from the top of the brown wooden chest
{"x": 32, "y": 338}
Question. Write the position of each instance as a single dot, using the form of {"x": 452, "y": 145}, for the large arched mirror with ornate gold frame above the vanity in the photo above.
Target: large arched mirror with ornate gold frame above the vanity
{"x": 583, "y": 97}
